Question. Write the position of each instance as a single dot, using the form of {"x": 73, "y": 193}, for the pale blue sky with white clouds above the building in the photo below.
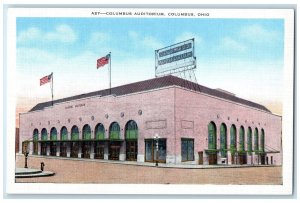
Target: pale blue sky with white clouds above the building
{"x": 244, "y": 56}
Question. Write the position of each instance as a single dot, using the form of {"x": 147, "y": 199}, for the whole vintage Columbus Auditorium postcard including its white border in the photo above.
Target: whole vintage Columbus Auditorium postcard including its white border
{"x": 150, "y": 101}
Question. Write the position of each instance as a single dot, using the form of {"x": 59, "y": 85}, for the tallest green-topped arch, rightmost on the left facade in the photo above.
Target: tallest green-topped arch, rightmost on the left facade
{"x": 131, "y": 137}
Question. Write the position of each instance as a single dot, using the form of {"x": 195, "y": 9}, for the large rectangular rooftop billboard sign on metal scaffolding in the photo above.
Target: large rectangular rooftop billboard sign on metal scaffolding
{"x": 175, "y": 58}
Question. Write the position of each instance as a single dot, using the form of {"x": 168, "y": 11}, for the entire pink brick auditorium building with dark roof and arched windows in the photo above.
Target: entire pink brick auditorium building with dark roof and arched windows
{"x": 194, "y": 124}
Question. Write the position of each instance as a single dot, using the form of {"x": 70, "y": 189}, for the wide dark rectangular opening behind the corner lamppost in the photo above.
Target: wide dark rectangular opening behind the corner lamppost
{"x": 150, "y": 150}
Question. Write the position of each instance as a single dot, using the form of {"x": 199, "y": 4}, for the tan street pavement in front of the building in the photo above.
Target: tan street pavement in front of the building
{"x": 91, "y": 171}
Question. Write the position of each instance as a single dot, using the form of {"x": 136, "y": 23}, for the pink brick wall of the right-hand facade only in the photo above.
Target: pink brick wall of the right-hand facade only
{"x": 201, "y": 109}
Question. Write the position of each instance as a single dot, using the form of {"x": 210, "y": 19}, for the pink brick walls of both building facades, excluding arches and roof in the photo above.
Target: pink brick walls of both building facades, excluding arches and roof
{"x": 185, "y": 113}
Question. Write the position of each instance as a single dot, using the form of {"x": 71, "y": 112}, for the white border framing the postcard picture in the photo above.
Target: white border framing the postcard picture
{"x": 287, "y": 122}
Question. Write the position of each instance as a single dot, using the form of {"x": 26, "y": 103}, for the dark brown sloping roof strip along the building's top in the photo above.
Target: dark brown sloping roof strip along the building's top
{"x": 152, "y": 84}
